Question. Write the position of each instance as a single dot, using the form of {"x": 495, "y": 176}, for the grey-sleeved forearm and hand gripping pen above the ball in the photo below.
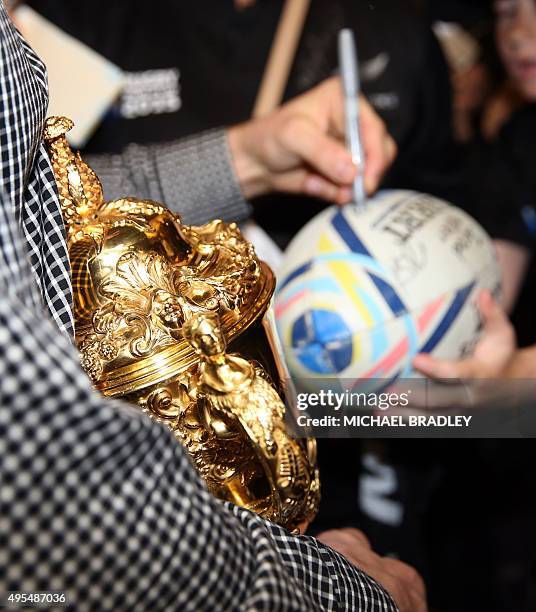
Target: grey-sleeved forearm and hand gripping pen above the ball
{"x": 298, "y": 149}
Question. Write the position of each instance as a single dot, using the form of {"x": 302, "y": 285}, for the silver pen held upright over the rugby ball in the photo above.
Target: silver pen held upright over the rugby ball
{"x": 349, "y": 71}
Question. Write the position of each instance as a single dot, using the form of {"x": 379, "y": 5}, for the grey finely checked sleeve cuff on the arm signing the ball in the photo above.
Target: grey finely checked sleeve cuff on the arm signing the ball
{"x": 193, "y": 176}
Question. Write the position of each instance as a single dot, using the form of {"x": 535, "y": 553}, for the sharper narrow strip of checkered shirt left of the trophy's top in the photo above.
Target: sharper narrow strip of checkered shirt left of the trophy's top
{"x": 26, "y": 176}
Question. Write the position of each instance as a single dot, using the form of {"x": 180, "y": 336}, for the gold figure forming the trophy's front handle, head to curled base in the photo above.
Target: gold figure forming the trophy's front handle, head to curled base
{"x": 236, "y": 397}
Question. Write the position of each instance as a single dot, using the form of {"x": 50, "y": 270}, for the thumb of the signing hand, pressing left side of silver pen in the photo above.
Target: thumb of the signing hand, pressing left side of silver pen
{"x": 324, "y": 154}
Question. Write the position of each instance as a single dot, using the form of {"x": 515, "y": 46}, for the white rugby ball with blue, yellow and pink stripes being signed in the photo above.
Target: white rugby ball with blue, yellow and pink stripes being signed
{"x": 361, "y": 292}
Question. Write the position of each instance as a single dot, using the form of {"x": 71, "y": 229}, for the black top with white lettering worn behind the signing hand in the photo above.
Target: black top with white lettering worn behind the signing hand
{"x": 209, "y": 59}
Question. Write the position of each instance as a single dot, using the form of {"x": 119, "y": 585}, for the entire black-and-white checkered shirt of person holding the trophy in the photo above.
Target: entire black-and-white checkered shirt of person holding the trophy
{"x": 95, "y": 499}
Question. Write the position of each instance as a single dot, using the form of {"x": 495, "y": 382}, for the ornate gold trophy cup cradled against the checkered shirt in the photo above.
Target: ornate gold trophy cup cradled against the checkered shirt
{"x": 156, "y": 303}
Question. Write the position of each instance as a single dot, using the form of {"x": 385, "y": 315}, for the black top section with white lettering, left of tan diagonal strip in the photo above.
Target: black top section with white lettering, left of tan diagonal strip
{"x": 204, "y": 53}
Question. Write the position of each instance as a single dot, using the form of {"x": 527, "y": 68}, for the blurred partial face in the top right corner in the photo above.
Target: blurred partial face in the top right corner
{"x": 516, "y": 41}
